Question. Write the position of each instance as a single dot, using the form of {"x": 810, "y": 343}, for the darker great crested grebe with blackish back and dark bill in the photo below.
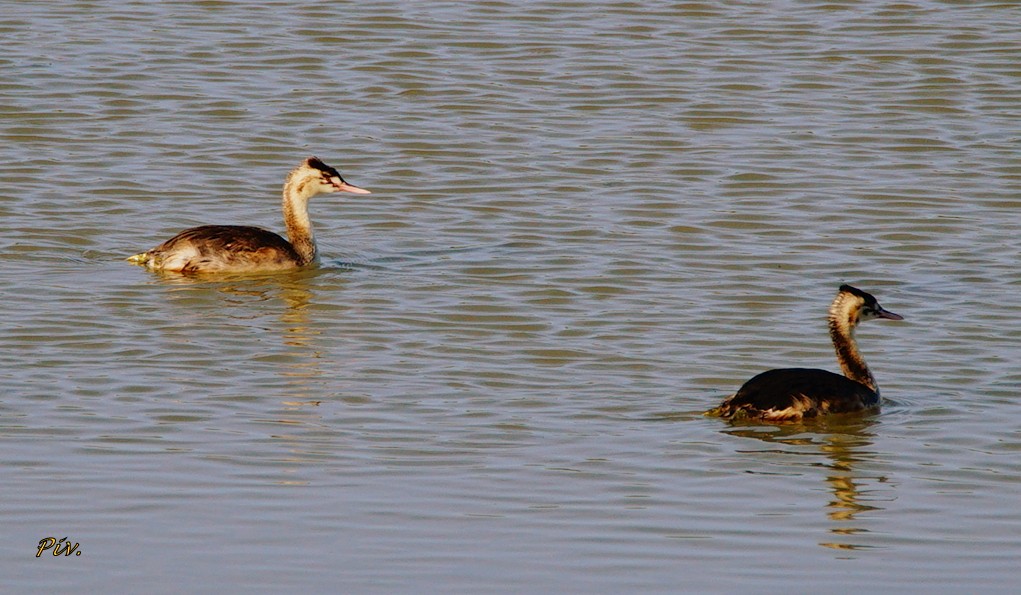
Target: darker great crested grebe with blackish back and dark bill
{"x": 796, "y": 393}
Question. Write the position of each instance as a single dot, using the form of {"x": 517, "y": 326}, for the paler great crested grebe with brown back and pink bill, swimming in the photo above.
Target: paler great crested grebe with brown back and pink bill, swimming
{"x": 249, "y": 250}
